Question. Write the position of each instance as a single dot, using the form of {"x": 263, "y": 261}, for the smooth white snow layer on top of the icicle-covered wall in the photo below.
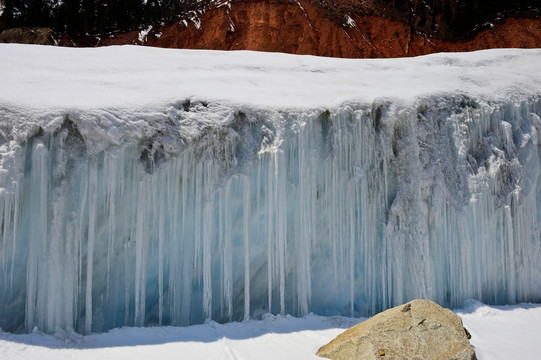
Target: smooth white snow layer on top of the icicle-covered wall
{"x": 128, "y": 77}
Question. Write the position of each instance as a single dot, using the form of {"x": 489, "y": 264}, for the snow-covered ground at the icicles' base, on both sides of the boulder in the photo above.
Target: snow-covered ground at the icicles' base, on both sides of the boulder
{"x": 498, "y": 332}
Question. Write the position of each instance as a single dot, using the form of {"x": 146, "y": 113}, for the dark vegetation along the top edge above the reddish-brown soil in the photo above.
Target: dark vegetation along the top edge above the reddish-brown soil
{"x": 444, "y": 19}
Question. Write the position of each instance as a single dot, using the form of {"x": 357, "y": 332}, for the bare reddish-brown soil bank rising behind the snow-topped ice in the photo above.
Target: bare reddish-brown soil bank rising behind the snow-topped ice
{"x": 299, "y": 27}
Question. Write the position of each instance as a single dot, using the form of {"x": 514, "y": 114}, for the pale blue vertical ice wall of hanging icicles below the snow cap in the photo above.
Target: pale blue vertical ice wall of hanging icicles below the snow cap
{"x": 227, "y": 213}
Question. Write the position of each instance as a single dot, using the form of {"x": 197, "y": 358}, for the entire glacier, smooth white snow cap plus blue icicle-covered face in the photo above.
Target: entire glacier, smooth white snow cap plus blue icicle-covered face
{"x": 150, "y": 187}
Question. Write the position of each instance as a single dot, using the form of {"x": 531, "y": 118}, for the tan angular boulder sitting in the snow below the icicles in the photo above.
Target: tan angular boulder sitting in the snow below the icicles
{"x": 420, "y": 329}
